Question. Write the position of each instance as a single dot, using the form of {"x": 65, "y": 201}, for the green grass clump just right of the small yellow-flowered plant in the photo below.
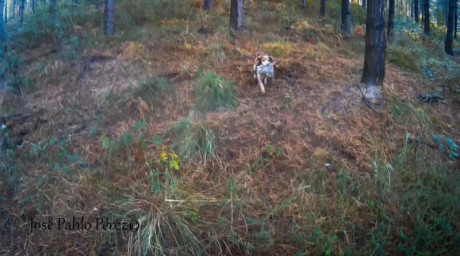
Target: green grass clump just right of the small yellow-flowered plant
{"x": 191, "y": 137}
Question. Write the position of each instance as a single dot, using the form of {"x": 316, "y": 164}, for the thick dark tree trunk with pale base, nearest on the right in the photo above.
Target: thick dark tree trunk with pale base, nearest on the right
{"x": 374, "y": 56}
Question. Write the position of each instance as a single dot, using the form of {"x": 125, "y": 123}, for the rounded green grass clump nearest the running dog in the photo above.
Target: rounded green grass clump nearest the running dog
{"x": 214, "y": 93}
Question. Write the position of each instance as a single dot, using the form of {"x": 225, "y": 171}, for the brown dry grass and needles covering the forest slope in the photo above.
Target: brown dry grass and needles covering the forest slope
{"x": 279, "y": 158}
